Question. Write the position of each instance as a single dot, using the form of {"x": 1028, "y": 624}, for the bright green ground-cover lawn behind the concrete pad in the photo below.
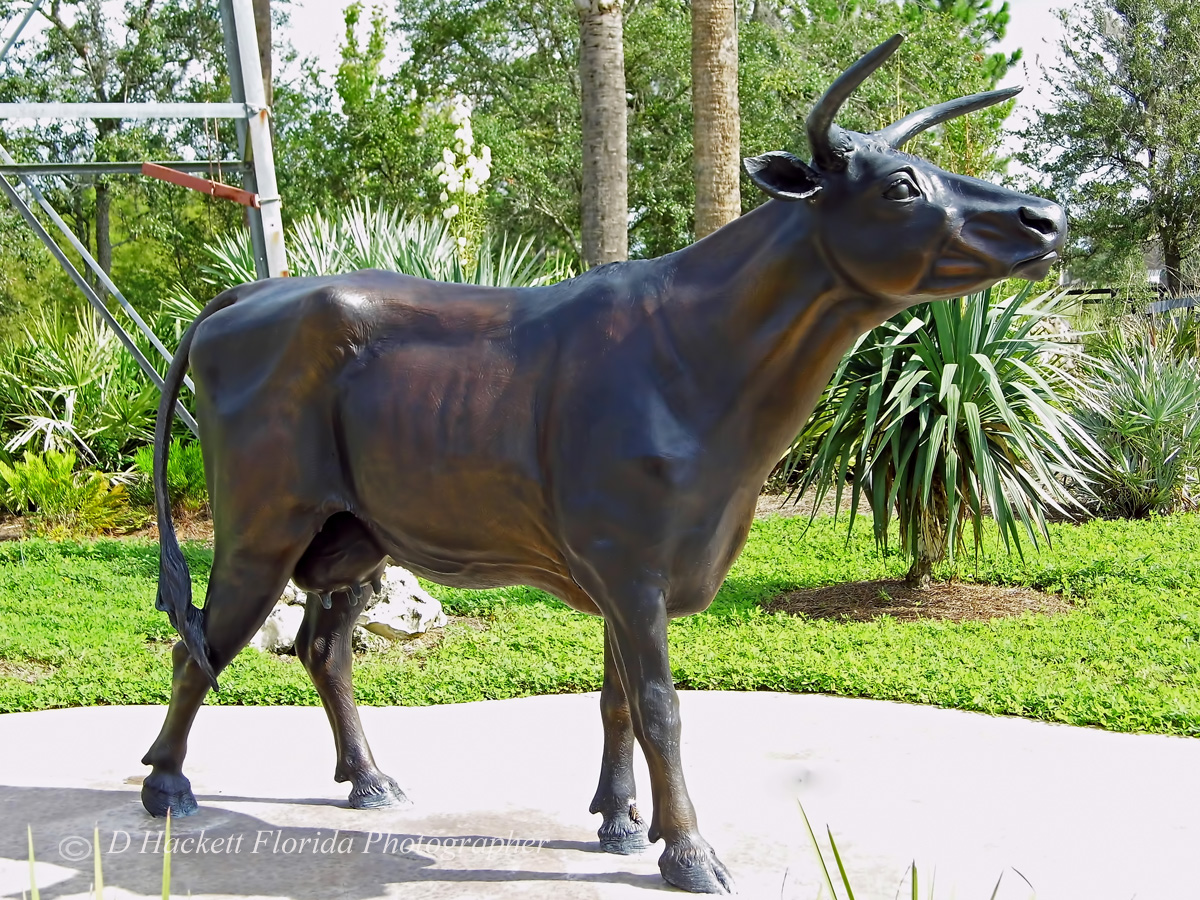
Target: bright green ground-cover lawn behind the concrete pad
{"x": 79, "y": 627}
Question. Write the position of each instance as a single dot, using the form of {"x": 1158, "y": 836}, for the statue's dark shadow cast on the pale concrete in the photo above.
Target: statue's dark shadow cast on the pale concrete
{"x": 302, "y": 863}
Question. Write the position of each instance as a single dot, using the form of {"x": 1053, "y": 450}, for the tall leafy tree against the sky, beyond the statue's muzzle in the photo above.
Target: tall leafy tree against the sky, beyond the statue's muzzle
{"x": 1121, "y": 143}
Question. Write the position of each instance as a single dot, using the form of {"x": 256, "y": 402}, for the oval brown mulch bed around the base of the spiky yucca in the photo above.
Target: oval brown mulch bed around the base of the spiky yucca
{"x": 952, "y": 602}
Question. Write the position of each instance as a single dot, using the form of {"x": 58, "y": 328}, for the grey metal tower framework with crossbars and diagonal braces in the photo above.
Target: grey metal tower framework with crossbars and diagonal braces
{"x": 257, "y": 166}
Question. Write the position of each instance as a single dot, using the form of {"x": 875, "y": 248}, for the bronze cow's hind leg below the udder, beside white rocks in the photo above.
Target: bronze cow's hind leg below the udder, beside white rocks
{"x": 325, "y": 647}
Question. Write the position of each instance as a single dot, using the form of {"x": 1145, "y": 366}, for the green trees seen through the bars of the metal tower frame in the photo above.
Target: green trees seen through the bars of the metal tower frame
{"x": 146, "y": 233}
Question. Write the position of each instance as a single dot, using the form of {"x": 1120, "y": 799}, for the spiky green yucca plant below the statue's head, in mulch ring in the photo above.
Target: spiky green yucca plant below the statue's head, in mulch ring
{"x": 943, "y": 411}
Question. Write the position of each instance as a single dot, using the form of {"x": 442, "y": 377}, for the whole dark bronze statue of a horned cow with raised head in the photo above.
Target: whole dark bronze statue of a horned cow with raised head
{"x": 604, "y": 440}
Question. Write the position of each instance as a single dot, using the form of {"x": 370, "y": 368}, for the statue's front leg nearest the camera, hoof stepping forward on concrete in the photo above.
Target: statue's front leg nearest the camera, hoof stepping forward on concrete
{"x": 638, "y": 622}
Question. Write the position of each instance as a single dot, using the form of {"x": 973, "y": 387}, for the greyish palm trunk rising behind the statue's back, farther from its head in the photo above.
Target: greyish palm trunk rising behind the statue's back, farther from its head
{"x": 605, "y": 196}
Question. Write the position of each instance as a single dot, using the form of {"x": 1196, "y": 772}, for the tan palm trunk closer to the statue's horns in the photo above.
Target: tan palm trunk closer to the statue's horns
{"x": 717, "y": 130}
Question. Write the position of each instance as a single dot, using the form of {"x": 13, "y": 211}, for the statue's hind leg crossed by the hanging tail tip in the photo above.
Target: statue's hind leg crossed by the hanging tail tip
{"x": 243, "y": 590}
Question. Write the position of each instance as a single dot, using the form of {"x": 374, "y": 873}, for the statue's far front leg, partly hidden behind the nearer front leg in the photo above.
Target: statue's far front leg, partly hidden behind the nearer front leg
{"x": 623, "y": 830}
